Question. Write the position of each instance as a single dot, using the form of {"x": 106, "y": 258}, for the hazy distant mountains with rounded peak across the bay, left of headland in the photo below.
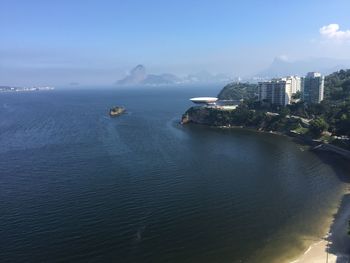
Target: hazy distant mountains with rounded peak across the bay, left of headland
{"x": 139, "y": 76}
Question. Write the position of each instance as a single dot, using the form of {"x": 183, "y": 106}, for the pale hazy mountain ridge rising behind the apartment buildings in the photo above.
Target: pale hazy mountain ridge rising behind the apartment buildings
{"x": 282, "y": 67}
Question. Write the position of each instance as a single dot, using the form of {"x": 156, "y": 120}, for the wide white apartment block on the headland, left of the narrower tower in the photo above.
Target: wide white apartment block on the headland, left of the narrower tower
{"x": 276, "y": 91}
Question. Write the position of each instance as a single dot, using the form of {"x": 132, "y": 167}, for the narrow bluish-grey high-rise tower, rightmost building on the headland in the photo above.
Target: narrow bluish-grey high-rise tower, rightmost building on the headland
{"x": 313, "y": 87}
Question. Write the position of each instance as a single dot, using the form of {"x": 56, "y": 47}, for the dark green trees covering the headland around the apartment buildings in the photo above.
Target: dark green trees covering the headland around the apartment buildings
{"x": 332, "y": 115}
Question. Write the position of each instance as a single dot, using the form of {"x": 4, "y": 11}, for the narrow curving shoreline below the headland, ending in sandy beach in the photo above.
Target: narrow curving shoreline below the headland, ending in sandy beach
{"x": 334, "y": 247}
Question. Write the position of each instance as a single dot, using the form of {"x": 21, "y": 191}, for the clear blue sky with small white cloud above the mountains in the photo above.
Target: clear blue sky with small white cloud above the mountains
{"x": 57, "y": 42}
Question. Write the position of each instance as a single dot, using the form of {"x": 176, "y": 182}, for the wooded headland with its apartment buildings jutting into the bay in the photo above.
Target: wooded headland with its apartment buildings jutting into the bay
{"x": 323, "y": 120}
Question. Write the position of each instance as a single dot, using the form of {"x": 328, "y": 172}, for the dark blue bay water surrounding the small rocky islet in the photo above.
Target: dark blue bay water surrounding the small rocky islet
{"x": 79, "y": 186}
